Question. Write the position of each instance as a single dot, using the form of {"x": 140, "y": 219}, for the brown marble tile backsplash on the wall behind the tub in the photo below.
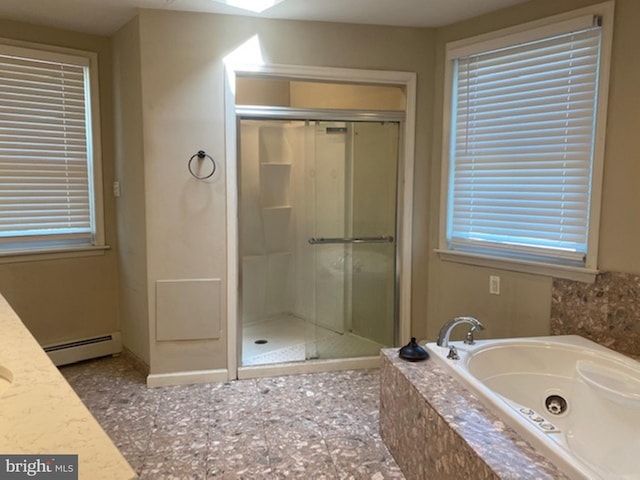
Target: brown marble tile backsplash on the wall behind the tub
{"x": 606, "y": 311}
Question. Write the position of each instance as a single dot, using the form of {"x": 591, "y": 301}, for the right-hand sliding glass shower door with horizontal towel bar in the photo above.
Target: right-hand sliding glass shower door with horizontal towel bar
{"x": 352, "y": 180}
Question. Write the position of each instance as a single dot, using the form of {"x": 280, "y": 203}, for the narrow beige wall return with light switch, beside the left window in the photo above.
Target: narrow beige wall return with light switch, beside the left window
{"x": 129, "y": 171}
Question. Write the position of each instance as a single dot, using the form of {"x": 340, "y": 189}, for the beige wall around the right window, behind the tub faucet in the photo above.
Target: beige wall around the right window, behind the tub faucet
{"x": 455, "y": 289}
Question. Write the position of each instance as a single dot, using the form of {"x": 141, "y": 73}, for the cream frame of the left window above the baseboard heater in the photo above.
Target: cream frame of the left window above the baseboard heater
{"x": 29, "y": 251}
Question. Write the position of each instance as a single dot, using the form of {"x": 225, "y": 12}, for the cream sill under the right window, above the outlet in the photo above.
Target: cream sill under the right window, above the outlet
{"x": 546, "y": 269}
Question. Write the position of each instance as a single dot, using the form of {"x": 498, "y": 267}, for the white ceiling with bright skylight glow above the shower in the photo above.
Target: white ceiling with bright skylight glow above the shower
{"x": 104, "y": 17}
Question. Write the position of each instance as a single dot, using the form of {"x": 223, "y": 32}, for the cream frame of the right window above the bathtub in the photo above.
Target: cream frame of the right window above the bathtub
{"x": 512, "y": 36}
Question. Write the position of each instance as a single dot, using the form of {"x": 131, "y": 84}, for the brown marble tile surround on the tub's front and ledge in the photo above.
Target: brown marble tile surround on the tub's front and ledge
{"x": 437, "y": 430}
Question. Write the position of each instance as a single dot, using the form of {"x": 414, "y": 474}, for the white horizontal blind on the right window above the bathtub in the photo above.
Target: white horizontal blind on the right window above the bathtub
{"x": 522, "y": 148}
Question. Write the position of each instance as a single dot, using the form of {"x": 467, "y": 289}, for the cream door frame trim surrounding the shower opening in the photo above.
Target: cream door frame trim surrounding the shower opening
{"x": 407, "y": 80}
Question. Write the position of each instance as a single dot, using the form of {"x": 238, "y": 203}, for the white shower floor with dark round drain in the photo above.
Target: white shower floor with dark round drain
{"x": 291, "y": 339}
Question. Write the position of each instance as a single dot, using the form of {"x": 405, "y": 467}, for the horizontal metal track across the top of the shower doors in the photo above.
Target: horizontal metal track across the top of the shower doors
{"x": 257, "y": 112}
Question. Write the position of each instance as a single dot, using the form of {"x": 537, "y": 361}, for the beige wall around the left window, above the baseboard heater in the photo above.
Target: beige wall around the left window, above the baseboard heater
{"x": 66, "y": 299}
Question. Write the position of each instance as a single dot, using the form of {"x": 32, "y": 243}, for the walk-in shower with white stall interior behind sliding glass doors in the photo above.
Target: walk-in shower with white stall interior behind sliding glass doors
{"x": 317, "y": 208}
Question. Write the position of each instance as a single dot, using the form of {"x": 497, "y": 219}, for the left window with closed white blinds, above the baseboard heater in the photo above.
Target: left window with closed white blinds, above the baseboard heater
{"x": 49, "y": 162}
